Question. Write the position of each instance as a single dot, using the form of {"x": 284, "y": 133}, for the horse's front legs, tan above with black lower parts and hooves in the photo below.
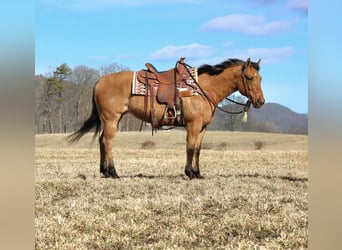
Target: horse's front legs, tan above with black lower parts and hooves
{"x": 193, "y": 148}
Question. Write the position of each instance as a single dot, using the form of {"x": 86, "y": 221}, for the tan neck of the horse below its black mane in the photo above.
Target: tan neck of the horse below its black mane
{"x": 220, "y": 86}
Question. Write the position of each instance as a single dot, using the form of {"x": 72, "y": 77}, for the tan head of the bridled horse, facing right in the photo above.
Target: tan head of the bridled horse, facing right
{"x": 250, "y": 86}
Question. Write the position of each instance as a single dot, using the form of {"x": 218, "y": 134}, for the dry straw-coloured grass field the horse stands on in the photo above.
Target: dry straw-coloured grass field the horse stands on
{"x": 254, "y": 194}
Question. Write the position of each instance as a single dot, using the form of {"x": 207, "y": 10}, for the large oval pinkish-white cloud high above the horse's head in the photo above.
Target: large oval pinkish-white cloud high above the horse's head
{"x": 247, "y": 24}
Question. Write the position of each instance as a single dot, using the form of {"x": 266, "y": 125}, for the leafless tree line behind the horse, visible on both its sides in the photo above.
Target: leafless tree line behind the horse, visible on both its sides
{"x": 63, "y": 101}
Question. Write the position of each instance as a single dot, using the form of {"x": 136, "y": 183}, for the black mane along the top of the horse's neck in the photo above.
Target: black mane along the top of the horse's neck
{"x": 218, "y": 68}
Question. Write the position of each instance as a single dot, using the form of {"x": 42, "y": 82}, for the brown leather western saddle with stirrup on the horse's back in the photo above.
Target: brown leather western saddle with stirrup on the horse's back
{"x": 166, "y": 84}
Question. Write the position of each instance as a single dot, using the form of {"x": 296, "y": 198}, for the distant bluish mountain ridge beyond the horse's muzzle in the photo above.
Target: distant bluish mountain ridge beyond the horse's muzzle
{"x": 286, "y": 120}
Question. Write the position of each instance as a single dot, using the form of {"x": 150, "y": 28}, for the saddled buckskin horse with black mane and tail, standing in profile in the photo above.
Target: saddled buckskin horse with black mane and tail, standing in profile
{"x": 112, "y": 98}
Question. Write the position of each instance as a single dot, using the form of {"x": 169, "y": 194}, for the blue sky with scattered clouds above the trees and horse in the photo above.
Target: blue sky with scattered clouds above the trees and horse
{"x": 132, "y": 32}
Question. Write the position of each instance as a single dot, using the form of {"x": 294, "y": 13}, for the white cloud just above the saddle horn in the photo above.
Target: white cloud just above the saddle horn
{"x": 172, "y": 52}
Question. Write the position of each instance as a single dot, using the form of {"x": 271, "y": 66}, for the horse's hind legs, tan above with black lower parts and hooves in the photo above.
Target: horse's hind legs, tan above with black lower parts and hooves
{"x": 107, "y": 167}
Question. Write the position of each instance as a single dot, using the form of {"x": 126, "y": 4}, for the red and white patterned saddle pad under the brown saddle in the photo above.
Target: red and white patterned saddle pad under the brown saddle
{"x": 188, "y": 89}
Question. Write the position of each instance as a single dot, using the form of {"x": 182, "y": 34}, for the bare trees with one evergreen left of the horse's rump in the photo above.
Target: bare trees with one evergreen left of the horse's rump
{"x": 63, "y": 97}
